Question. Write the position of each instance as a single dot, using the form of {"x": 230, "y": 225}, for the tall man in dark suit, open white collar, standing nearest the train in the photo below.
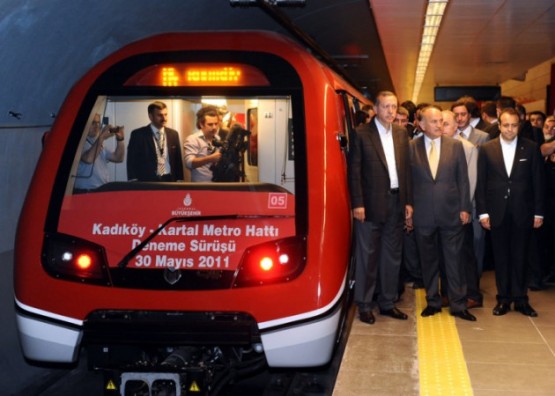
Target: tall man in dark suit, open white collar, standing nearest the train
{"x": 380, "y": 187}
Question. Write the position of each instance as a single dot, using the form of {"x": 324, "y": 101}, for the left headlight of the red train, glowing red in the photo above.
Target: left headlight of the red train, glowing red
{"x": 72, "y": 258}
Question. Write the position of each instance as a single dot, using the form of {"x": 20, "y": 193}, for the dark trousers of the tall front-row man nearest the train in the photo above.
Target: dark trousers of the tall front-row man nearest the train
{"x": 378, "y": 253}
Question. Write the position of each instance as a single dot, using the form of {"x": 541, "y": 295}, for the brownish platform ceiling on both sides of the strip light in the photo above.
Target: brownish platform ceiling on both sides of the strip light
{"x": 480, "y": 42}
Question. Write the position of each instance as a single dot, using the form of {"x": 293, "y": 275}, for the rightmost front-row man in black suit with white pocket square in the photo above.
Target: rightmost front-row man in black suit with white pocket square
{"x": 510, "y": 202}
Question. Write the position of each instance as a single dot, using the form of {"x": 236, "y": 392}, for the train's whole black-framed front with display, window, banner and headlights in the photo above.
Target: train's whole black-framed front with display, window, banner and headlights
{"x": 139, "y": 200}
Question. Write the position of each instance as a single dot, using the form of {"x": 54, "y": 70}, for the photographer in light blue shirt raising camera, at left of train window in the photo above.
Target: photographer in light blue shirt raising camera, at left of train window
{"x": 92, "y": 171}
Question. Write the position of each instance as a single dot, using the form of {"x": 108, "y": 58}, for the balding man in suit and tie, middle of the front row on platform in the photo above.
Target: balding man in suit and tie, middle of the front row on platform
{"x": 442, "y": 207}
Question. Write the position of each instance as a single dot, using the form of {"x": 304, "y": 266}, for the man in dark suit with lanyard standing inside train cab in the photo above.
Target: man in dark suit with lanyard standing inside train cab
{"x": 154, "y": 151}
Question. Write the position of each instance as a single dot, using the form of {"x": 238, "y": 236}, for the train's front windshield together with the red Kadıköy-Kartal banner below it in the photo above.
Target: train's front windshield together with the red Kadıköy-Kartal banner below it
{"x": 250, "y": 199}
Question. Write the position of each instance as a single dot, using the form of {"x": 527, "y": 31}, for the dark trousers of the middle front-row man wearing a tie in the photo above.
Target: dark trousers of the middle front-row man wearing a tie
{"x": 434, "y": 242}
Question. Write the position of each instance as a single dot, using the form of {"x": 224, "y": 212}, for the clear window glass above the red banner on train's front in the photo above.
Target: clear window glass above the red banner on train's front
{"x": 254, "y": 138}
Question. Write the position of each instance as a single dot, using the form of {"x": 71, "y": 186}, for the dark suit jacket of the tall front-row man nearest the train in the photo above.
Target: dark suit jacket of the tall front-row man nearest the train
{"x": 369, "y": 182}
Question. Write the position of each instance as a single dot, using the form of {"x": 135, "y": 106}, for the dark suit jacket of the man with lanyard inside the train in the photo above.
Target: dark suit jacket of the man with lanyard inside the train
{"x": 141, "y": 155}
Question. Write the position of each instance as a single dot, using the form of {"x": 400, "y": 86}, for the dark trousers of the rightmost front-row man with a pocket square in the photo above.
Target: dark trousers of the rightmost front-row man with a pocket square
{"x": 509, "y": 244}
